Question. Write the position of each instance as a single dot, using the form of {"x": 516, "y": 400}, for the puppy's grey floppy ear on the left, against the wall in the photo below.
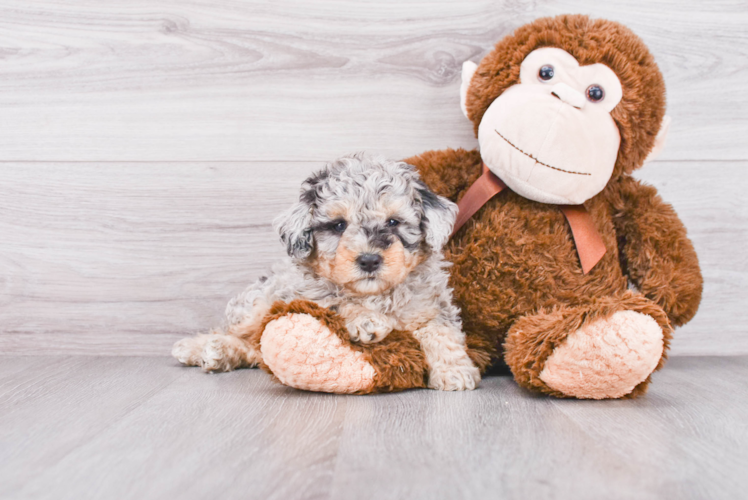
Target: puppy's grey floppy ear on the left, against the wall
{"x": 295, "y": 225}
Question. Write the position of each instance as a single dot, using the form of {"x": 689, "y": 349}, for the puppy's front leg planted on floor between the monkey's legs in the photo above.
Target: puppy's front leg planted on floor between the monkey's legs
{"x": 450, "y": 368}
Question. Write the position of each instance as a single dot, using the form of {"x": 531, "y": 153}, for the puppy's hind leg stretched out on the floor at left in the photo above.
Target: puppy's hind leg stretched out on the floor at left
{"x": 225, "y": 350}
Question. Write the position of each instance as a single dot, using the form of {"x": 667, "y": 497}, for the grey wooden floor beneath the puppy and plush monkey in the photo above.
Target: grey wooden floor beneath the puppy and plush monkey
{"x": 127, "y": 427}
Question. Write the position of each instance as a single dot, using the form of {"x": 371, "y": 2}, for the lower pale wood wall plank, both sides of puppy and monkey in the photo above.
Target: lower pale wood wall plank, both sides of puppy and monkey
{"x": 128, "y": 258}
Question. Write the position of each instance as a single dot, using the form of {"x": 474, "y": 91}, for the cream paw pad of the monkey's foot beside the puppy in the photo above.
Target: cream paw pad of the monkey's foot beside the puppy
{"x": 303, "y": 353}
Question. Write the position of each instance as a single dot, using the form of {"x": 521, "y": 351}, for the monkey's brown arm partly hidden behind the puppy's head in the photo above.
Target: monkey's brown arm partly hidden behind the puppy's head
{"x": 448, "y": 172}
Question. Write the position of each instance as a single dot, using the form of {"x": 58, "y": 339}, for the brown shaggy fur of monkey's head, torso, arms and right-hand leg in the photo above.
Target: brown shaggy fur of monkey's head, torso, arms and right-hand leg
{"x": 516, "y": 273}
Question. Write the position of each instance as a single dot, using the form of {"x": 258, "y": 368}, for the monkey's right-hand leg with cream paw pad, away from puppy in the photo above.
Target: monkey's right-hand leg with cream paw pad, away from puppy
{"x": 607, "y": 349}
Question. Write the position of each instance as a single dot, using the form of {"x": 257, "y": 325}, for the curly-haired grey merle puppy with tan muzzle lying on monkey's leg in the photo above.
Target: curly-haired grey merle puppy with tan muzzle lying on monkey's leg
{"x": 364, "y": 240}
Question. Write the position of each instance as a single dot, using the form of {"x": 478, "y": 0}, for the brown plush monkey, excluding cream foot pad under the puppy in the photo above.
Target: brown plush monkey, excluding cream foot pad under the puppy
{"x": 565, "y": 109}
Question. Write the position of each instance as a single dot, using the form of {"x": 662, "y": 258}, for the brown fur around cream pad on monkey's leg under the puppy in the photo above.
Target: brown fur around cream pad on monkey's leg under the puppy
{"x": 398, "y": 360}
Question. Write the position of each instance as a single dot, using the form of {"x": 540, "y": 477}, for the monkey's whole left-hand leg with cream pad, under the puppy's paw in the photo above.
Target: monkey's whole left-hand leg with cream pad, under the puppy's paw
{"x": 308, "y": 347}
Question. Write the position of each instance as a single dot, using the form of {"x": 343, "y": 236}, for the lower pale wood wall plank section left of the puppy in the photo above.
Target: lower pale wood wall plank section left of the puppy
{"x": 126, "y": 258}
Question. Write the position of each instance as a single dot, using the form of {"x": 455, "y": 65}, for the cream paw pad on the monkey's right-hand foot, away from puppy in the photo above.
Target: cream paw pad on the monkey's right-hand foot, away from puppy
{"x": 606, "y": 358}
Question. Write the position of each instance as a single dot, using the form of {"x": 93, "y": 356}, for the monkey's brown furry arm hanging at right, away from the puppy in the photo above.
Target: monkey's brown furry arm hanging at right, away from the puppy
{"x": 655, "y": 251}
